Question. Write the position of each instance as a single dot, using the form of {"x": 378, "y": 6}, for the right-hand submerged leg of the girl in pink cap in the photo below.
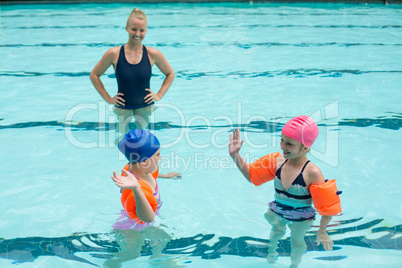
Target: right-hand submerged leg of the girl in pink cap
{"x": 297, "y": 241}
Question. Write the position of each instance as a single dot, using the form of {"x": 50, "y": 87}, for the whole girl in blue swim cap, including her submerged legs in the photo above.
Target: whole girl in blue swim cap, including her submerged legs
{"x": 141, "y": 200}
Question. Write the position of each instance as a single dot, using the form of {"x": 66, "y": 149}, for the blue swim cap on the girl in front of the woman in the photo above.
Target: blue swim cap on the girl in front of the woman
{"x": 139, "y": 145}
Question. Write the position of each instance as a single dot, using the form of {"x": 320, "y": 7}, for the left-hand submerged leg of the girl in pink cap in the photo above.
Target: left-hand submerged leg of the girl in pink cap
{"x": 277, "y": 232}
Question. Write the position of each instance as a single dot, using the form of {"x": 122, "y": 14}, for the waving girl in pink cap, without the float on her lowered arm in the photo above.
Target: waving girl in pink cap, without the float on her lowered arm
{"x": 293, "y": 203}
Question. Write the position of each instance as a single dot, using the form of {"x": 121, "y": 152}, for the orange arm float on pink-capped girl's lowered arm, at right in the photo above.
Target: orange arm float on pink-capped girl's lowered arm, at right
{"x": 326, "y": 198}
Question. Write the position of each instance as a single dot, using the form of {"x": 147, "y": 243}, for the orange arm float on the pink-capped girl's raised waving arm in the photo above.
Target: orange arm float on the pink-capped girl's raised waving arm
{"x": 263, "y": 169}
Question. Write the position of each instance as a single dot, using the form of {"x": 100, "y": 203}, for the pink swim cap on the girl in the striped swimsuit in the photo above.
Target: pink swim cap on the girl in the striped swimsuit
{"x": 301, "y": 128}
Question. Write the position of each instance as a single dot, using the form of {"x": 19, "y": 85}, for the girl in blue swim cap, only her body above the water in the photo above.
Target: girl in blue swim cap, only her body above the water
{"x": 140, "y": 191}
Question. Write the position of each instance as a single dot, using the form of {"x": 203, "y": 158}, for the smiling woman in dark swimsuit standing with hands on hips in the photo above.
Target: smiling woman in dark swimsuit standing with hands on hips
{"x": 133, "y": 63}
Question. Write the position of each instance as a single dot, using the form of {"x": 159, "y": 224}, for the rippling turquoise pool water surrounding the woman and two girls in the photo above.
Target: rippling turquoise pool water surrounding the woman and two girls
{"x": 252, "y": 66}
